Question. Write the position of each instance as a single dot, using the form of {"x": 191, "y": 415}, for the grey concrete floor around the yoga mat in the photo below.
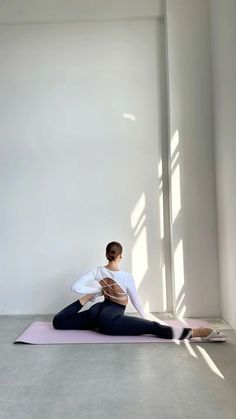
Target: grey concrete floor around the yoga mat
{"x": 161, "y": 381}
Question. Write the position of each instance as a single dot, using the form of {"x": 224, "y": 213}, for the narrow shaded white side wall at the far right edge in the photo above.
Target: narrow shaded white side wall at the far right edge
{"x": 223, "y": 55}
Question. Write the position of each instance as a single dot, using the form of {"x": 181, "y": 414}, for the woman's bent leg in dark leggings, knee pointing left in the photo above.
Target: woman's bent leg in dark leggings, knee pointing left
{"x": 69, "y": 318}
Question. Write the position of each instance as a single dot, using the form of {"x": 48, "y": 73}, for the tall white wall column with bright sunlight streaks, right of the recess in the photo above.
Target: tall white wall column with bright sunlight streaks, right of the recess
{"x": 193, "y": 200}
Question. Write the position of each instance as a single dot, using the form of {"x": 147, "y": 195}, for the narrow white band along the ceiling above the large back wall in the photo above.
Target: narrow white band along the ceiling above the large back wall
{"x": 34, "y": 11}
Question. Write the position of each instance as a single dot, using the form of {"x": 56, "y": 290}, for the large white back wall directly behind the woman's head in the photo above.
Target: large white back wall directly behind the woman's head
{"x": 76, "y": 172}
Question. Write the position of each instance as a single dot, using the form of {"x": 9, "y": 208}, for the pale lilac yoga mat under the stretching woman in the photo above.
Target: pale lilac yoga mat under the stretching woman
{"x": 43, "y": 333}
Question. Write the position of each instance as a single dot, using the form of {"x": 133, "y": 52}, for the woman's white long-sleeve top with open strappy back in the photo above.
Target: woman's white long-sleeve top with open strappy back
{"x": 89, "y": 284}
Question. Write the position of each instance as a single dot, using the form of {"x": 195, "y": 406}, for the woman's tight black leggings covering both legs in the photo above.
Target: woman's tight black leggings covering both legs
{"x": 108, "y": 318}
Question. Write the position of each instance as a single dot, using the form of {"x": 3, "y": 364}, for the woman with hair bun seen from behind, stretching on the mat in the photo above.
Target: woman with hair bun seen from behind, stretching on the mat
{"x": 108, "y": 316}
